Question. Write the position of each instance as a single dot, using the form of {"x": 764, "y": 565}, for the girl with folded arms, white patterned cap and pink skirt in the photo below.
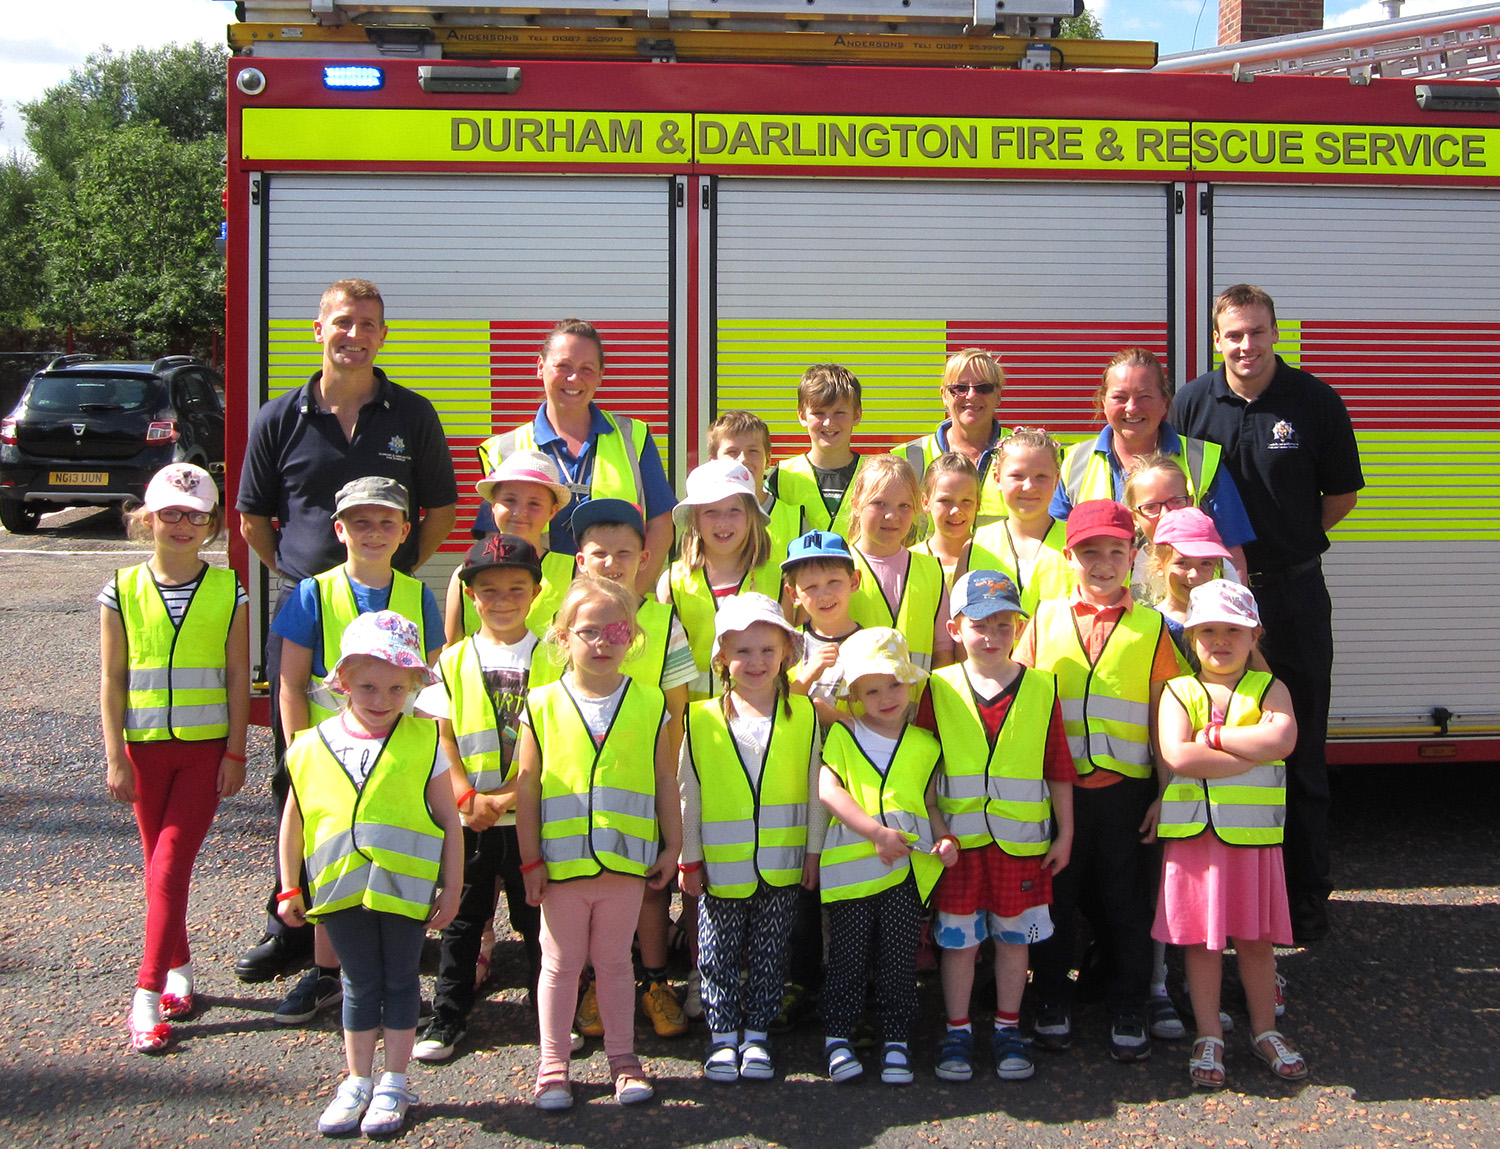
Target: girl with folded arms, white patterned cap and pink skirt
{"x": 1223, "y": 734}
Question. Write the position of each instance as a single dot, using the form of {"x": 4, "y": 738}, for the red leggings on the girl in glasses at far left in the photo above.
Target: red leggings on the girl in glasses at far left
{"x": 176, "y": 797}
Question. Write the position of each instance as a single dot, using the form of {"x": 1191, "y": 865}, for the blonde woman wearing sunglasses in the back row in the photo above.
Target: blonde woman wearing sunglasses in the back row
{"x": 971, "y": 391}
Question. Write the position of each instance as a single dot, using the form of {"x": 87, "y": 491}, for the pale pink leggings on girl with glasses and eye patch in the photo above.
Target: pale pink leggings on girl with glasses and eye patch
{"x": 587, "y": 920}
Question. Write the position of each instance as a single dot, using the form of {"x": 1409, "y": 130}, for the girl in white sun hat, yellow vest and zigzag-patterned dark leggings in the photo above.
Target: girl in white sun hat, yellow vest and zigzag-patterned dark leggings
{"x": 752, "y": 829}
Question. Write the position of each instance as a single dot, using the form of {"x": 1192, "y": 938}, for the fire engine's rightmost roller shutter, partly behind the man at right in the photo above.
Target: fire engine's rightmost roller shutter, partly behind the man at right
{"x": 1388, "y": 295}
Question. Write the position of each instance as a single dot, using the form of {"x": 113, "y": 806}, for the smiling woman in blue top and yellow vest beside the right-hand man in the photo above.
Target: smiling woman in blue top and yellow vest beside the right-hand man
{"x": 1133, "y": 397}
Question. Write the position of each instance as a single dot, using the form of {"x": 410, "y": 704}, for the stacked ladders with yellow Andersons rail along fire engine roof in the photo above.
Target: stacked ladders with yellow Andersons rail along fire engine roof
{"x": 970, "y": 34}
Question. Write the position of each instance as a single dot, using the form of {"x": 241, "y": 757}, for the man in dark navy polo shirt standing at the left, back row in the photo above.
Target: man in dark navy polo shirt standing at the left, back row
{"x": 347, "y": 422}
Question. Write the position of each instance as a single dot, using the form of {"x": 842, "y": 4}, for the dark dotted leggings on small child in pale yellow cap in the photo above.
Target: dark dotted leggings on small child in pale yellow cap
{"x": 893, "y": 923}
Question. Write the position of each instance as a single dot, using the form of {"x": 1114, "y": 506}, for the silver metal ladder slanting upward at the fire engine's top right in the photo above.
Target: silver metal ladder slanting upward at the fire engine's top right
{"x": 1456, "y": 46}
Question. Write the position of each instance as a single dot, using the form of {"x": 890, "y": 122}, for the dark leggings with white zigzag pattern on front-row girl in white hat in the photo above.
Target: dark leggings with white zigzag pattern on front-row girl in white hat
{"x": 739, "y": 932}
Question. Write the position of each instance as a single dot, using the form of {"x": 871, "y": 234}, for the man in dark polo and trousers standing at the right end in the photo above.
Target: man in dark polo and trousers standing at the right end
{"x": 1291, "y": 446}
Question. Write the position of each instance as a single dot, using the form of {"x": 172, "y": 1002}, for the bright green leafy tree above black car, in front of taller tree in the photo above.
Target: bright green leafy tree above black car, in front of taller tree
{"x": 130, "y": 242}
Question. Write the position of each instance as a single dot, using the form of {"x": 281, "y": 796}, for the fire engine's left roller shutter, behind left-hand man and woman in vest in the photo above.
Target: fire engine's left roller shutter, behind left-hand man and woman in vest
{"x": 475, "y": 271}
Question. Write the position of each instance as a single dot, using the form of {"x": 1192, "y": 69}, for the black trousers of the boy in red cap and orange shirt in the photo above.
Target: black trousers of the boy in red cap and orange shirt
{"x": 1109, "y": 869}
